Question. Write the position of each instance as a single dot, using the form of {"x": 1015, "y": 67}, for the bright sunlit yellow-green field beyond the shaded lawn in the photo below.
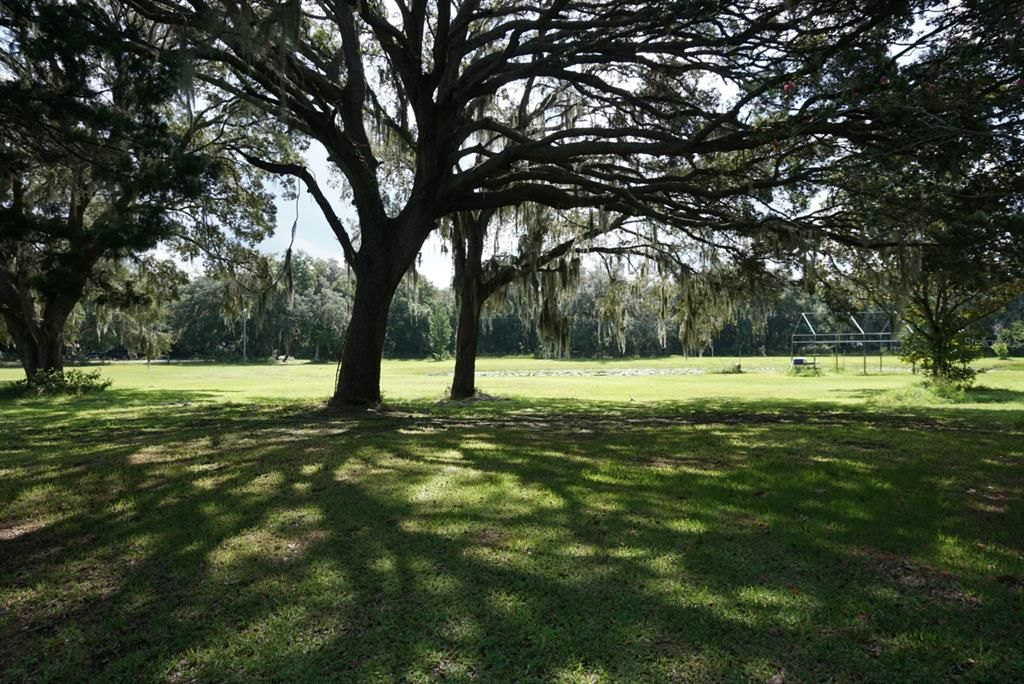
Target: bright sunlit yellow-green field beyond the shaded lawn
{"x": 643, "y": 380}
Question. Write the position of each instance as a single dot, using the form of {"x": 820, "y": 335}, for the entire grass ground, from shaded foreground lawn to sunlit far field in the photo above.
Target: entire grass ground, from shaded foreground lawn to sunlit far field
{"x": 644, "y": 521}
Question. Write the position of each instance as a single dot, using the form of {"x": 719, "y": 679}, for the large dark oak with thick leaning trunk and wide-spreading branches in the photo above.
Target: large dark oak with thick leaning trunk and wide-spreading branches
{"x": 400, "y": 94}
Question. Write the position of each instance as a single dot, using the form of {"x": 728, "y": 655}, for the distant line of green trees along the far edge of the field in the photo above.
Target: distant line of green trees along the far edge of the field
{"x": 203, "y": 318}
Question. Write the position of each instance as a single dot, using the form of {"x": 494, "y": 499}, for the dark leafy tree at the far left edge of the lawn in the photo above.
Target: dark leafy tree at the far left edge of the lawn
{"x": 99, "y": 163}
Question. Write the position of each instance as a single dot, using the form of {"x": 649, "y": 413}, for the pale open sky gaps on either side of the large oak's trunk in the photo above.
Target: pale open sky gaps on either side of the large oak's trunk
{"x": 315, "y": 237}
